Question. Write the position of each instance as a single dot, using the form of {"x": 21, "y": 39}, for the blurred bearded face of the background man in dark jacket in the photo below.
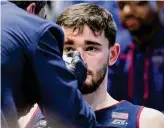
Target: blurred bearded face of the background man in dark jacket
{"x": 135, "y": 14}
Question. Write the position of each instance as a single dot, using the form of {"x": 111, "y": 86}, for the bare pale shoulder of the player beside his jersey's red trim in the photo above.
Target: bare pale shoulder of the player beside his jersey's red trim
{"x": 151, "y": 118}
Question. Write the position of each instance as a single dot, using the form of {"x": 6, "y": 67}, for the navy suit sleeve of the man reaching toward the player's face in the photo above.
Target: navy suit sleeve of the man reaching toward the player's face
{"x": 60, "y": 99}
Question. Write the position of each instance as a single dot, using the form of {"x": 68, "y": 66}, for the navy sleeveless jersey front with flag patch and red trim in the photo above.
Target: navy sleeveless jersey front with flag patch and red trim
{"x": 121, "y": 115}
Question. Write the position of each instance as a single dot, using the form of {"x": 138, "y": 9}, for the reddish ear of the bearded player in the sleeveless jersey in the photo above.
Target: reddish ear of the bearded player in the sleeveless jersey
{"x": 114, "y": 52}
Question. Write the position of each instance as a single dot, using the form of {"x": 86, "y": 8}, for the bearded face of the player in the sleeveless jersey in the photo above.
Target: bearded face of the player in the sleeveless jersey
{"x": 94, "y": 50}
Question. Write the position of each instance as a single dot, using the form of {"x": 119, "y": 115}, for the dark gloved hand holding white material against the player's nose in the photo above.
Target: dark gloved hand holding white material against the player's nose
{"x": 76, "y": 65}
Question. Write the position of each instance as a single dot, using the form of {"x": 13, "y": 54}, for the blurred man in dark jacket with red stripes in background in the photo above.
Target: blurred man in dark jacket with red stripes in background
{"x": 139, "y": 74}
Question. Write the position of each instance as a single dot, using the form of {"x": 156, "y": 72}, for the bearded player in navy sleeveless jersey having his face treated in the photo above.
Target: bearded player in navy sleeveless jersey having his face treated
{"x": 91, "y": 31}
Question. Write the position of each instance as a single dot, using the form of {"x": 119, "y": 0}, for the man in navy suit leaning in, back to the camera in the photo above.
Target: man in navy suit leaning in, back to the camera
{"x": 33, "y": 70}
